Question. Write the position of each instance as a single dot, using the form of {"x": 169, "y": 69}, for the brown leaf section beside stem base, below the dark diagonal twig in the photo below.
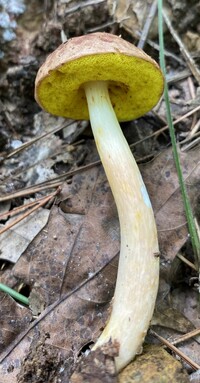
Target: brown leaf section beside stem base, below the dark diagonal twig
{"x": 72, "y": 323}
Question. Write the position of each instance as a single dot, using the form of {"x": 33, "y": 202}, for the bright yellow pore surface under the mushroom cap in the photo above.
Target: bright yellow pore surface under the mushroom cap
{"x": 135, "y": 85}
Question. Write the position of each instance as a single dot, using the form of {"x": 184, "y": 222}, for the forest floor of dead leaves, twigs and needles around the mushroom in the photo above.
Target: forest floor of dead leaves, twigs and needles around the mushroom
{"x": 58, "y": 221}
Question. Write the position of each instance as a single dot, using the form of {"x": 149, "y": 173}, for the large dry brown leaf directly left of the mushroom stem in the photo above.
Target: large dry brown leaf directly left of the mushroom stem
{"x": 74, "y": 247}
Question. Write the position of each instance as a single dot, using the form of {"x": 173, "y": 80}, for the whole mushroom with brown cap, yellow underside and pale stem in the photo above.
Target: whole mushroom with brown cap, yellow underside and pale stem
{"x": 107, "y": 79}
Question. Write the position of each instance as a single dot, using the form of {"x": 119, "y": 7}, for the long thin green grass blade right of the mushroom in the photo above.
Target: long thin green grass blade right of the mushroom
{"x": 188, "y": 210}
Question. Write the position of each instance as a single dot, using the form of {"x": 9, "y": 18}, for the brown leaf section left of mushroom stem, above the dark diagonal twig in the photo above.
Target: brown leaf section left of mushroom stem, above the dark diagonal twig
{"x": 81, "y": 237}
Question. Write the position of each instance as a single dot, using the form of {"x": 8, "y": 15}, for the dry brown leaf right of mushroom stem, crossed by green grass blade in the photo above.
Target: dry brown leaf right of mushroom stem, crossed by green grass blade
{"x": 161, "y": 179}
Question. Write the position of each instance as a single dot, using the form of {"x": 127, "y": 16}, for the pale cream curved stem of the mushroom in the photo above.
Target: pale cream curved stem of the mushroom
{"x": 138, "y": 272}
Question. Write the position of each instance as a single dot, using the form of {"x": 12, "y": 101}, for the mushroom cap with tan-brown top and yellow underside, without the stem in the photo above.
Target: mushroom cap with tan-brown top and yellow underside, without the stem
{"x": 134, "y": 79}
